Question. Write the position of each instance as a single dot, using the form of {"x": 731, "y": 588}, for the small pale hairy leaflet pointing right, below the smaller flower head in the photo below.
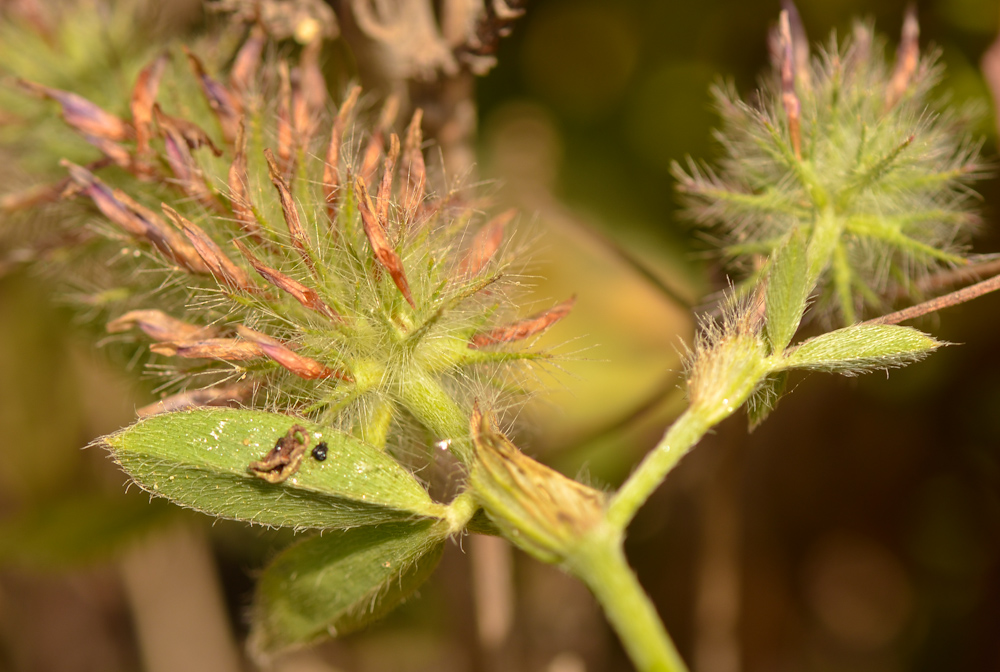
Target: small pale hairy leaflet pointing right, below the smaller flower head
{"x": 860, "y": 348}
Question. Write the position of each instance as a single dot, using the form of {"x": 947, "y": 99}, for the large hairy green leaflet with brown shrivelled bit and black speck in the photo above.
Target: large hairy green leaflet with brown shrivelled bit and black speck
{"x": 200, "y": 459}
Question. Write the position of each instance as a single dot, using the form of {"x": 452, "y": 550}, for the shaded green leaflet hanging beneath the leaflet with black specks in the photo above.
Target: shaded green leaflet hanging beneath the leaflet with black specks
{"x": 337, "y": 582}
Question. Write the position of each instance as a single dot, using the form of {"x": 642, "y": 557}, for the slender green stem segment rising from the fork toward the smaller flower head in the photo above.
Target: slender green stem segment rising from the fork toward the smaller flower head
{"x": 686, "y": 431}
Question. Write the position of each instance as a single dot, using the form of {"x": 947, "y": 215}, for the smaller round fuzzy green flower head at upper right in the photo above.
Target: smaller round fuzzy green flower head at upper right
{"x": 851, "y": 152}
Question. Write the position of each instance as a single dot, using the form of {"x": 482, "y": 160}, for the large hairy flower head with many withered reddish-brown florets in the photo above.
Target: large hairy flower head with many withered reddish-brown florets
{"x": 292, "y": 260}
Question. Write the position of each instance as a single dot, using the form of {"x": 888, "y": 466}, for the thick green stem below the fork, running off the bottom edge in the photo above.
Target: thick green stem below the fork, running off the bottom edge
{"x": 600, "y": 563}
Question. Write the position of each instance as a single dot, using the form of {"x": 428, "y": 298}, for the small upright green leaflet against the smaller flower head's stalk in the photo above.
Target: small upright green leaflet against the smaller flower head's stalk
{"x": 786, "y": 292}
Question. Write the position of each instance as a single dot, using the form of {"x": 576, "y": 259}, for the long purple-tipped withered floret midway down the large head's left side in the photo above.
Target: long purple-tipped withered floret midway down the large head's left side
{"x": 134, "y": 219}
